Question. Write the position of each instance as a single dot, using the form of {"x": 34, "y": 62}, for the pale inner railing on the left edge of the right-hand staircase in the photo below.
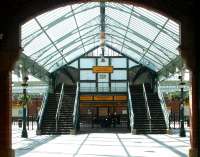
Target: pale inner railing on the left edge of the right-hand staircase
{"x": 130, "y": 107}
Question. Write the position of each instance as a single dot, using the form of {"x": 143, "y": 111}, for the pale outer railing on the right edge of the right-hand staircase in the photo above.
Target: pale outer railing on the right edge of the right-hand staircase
{"x": 163, "y": 106}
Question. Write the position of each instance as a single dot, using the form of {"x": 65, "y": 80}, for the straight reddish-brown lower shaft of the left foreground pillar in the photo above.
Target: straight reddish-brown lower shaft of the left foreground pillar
{"x": 5, "y": 112}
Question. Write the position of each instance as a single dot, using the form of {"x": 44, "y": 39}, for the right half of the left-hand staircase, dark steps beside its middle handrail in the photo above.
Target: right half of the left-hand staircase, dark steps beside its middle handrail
{"x": 66, "y": 119}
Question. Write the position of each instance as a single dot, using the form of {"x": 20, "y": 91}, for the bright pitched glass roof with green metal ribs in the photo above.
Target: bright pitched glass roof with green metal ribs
{"x": 58, "y": 37}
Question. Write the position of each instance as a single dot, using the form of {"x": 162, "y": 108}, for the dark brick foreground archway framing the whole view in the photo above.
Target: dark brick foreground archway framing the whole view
{"x": 10, "y": 43}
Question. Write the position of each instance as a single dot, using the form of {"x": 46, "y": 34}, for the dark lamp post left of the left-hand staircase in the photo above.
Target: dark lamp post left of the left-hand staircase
{"x": 24, "y": 85}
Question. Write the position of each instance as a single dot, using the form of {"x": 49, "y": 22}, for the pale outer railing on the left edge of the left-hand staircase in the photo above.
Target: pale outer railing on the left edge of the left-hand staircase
{"x": 42, "y": 108}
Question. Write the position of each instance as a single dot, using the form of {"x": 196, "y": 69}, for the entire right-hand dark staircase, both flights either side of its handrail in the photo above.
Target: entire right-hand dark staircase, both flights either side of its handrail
{"x": 141, "y": 122}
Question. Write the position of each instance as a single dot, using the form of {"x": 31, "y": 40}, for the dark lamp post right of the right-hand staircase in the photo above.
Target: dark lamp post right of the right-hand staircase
{"x": 182, "y": 129}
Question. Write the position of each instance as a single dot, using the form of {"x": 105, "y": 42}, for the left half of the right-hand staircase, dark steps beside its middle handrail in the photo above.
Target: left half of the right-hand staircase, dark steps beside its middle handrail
{"x": 141, "y": 122}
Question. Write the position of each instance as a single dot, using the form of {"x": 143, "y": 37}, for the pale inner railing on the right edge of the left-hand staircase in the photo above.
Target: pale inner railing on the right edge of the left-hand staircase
{"x": 76, "y": 108}
